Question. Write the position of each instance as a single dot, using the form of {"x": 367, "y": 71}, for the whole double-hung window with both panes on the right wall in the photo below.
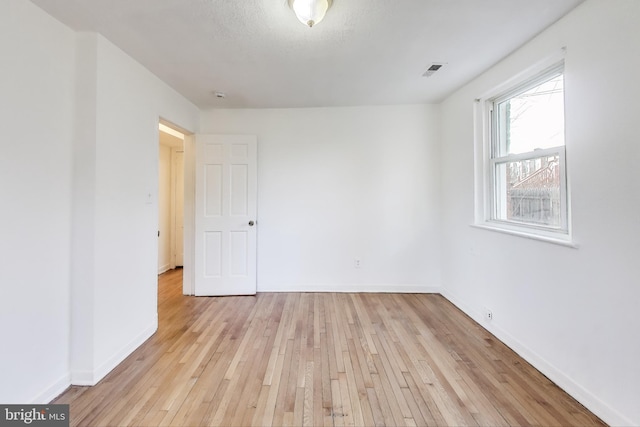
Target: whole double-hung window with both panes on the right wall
{"x": 526, "y": 170}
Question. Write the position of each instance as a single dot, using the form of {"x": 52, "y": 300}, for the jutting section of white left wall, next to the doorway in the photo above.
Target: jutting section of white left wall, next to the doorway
{"x": 128, "y": 101}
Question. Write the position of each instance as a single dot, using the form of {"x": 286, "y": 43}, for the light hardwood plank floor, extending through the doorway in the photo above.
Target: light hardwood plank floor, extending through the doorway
{"x": 327, "y": 359}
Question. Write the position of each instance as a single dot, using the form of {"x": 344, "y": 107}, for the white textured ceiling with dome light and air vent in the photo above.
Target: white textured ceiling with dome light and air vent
{"x": 365, "y": 52}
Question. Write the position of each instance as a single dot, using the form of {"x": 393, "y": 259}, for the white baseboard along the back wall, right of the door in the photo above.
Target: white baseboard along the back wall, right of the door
{"x": 355, "y": 288}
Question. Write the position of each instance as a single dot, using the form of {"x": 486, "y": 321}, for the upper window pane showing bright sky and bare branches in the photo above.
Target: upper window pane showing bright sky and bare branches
{"x": 533, "y": 119}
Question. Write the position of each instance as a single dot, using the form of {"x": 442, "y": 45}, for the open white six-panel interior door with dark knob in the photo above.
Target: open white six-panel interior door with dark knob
{"x": 225, "y": 217}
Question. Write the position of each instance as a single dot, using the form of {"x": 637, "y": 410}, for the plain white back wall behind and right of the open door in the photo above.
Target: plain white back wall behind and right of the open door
{"x": 341, "y": 183}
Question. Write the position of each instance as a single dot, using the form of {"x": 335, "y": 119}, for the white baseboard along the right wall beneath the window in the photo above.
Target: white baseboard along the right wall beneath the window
{"x": 582, "y": 395}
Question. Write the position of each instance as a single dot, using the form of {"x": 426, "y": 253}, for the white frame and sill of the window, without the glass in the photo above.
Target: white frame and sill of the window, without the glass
{"x": 486, "y": 161}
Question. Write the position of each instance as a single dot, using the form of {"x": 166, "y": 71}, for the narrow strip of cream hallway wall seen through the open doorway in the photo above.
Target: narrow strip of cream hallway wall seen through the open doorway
{"x": 164, "y": 207}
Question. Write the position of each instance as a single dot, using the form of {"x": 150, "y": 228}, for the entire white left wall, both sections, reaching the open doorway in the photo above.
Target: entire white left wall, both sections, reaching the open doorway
{"x": 79, "y": 181}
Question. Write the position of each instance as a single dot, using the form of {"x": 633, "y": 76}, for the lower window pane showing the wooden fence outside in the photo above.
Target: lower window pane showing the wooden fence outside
{"x": 528, "y": 191}
